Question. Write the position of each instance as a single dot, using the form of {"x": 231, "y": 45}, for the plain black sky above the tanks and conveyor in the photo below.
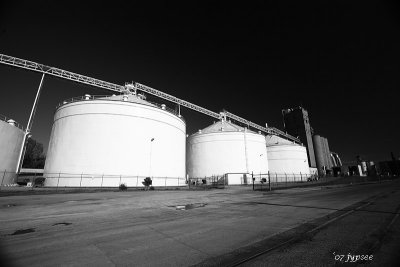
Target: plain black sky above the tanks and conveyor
{"x": 338, "y": 59}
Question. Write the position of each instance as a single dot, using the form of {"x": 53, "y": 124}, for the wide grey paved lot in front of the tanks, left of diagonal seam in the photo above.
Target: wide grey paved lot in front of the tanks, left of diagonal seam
{"x": 145, "y": 228}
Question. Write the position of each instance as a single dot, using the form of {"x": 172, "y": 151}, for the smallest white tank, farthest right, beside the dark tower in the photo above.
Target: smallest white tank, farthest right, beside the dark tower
{"x": 286, "y": 159}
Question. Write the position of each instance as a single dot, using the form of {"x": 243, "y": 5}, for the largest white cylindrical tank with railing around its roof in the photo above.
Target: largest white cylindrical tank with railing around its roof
{"x": 111, "y": 140}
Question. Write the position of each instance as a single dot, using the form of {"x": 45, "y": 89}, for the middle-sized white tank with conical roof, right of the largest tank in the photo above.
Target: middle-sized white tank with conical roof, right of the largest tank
{"x": 223, "y": 148}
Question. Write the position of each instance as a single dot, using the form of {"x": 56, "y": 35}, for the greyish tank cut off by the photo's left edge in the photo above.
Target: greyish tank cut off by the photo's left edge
{"x": 11, "y": 138}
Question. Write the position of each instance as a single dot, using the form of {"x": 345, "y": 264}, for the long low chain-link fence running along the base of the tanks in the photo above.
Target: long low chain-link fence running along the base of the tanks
{"x": 266, "y": 181}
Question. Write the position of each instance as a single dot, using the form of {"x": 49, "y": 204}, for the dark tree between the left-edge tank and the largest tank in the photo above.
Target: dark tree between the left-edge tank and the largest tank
{"x": 34, "y": 156}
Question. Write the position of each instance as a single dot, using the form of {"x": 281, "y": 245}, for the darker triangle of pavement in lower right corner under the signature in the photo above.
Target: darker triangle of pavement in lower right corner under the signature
{"x": 372, "y": 231}
